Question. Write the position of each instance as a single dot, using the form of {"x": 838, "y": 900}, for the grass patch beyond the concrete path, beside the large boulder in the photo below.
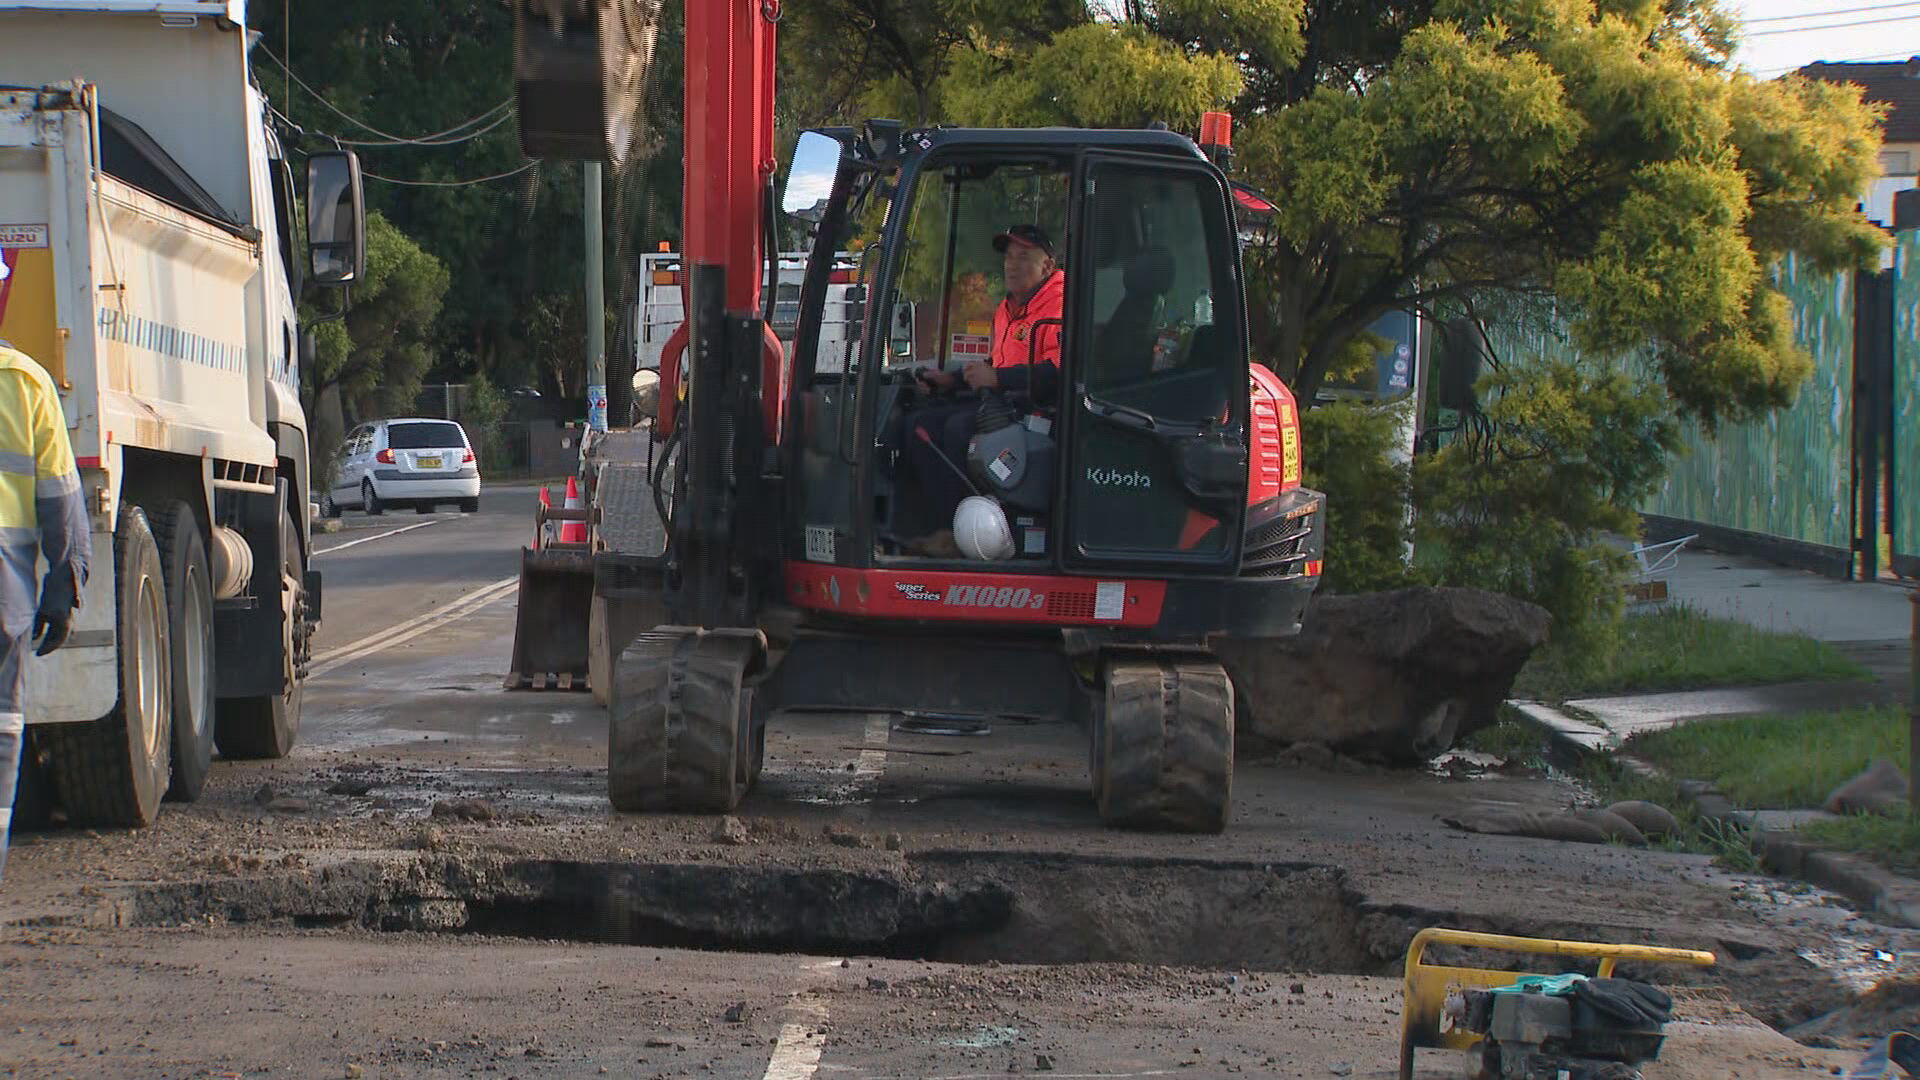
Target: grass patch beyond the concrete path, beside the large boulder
{"x": 1681, "y": 649}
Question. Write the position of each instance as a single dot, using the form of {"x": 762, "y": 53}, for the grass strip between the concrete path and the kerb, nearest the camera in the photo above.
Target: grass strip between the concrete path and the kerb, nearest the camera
{"x": 1777, "y": 762}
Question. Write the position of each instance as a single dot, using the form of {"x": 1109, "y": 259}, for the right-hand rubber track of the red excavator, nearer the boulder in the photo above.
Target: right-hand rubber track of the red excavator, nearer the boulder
{"x": 1166, "y": 747}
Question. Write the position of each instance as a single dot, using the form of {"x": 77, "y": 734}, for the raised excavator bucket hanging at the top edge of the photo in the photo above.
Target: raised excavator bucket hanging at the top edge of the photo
{"x": 581, "y": 76}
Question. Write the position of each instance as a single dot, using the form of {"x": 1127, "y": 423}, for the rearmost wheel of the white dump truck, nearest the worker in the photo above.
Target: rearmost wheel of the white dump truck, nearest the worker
{"x": 114, "y": 770}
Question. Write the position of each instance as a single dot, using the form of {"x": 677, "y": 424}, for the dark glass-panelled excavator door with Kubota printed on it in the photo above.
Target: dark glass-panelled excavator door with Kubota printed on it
{"x": 1157, "y": 422}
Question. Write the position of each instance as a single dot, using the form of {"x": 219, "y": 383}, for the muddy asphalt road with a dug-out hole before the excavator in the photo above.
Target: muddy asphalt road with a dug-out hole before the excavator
{"x": 304, "y": 902}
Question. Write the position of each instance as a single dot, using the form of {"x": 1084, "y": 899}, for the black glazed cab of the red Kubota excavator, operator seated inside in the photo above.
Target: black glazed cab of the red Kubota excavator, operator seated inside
{"x": 1116, "y": 426}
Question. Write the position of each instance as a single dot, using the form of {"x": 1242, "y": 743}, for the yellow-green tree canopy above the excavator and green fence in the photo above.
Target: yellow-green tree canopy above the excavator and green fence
{"x": 1433, "y": 151}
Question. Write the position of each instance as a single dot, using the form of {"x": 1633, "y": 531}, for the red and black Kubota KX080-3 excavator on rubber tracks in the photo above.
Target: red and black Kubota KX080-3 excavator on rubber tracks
{"x": 1132, "y": 485}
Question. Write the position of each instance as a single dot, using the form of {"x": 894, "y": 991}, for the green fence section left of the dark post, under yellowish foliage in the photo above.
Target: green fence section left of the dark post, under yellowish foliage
{"x": 1787, "y": 476}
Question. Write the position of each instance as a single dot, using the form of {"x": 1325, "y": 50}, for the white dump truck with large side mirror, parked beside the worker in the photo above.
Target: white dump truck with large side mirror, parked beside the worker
{"x": 151, "y": 264}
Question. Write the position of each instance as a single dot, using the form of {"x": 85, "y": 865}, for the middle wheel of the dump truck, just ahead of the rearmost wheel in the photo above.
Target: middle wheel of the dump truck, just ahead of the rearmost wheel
{"x": 183, "y": 556}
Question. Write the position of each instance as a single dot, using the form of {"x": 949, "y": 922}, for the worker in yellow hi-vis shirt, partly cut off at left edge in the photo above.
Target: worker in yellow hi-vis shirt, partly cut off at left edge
{"x": 41, "y": 512}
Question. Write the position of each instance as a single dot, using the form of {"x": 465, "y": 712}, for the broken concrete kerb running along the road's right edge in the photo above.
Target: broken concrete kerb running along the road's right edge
{"x": 1869, "y": 887}
